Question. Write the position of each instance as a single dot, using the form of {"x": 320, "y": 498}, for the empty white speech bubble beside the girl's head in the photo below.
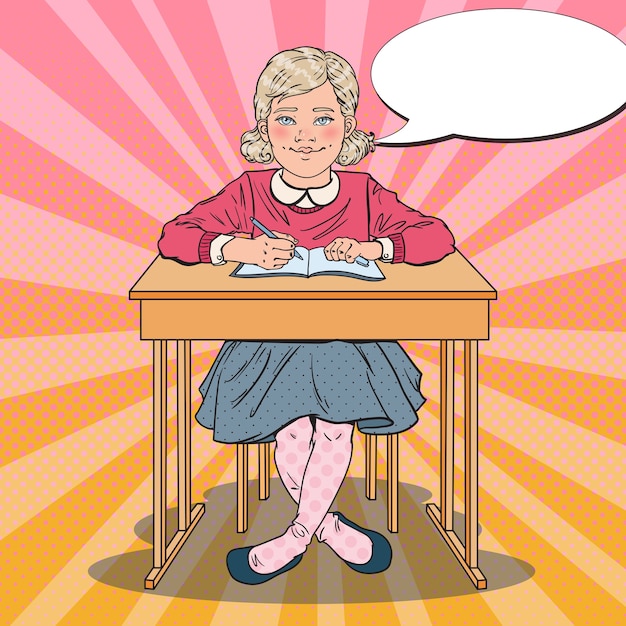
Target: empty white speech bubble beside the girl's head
{"x": 500, "y": 75}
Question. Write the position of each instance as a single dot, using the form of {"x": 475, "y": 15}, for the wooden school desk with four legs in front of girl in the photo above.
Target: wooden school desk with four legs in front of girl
{"x": 445, "y": 301}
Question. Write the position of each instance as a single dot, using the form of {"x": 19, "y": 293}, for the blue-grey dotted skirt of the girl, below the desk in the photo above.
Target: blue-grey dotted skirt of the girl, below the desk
{"x": 254, "y": 388}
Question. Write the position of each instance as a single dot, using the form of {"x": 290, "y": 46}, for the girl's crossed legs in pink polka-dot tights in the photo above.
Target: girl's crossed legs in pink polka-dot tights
{"x": 312, "y": 466}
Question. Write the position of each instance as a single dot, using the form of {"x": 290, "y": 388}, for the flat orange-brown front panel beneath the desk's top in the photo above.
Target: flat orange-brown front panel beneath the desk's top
{"x": 315, "y": 319}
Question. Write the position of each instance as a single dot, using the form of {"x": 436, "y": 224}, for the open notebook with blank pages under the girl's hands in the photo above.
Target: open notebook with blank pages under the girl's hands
{"x": 313, "y": 263}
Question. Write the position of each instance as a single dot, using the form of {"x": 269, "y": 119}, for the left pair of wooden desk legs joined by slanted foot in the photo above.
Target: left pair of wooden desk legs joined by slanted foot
{"x": 164, "y": 553}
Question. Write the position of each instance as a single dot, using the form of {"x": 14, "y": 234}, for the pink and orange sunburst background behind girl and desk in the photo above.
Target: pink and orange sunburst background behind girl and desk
{"x": 117, "y": 116}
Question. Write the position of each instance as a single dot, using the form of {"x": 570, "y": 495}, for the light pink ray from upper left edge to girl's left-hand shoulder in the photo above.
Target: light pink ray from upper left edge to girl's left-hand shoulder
{"x": 48, "y": 120}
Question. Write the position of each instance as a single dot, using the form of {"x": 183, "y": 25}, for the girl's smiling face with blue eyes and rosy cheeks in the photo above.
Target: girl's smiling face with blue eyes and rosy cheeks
{"x": 307, "y": 132}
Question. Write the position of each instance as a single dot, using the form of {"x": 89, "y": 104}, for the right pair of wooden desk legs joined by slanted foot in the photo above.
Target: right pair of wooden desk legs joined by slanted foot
{"x": 467, "y": 554}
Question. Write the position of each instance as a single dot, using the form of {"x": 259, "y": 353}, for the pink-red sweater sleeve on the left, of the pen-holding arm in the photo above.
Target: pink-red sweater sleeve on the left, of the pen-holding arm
{"x": 187, "y": 238}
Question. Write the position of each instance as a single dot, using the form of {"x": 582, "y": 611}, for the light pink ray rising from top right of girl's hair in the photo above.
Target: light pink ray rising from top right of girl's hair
{"x": 346, "y": 42}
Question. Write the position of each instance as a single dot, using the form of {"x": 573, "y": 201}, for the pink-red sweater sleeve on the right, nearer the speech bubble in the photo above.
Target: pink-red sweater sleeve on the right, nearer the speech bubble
{"x": 417, "y": 238}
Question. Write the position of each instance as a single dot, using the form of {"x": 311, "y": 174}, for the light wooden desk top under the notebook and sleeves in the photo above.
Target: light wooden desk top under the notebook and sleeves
{"x": 454, "y": 277}
